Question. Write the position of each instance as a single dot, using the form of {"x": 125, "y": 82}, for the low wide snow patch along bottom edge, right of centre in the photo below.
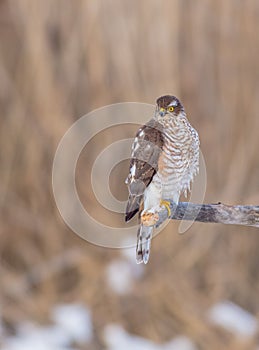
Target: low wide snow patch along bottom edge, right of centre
{"x": 116, "y": 338}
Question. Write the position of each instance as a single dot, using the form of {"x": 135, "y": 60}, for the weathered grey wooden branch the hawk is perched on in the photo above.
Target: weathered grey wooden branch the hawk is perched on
{"x": 247, "y": 215}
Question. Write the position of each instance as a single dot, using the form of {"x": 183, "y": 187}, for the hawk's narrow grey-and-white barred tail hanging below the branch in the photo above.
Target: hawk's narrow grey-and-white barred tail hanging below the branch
{"x": 143, "y": 243}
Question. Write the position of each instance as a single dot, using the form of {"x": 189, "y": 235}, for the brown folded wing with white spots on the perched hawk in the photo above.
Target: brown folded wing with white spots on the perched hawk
{"x": 146, "y": 149}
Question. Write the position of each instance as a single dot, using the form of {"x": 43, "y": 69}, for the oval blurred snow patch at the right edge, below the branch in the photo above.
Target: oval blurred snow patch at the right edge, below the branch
{"x": 233, "y": 318}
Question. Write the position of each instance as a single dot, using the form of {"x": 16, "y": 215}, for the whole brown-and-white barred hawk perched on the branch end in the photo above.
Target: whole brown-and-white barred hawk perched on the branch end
{"x": 164, "y": 161}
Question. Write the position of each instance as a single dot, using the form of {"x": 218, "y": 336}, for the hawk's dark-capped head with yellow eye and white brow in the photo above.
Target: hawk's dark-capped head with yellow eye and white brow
{"x": 168, "y": 106}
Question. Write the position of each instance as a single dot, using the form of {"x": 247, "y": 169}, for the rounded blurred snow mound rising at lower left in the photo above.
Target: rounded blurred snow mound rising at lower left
{"x": 75, "y": 321}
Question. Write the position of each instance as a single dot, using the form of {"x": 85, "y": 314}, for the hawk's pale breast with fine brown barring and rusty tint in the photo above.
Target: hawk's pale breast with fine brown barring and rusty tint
{"x": 179, "y": 161}
